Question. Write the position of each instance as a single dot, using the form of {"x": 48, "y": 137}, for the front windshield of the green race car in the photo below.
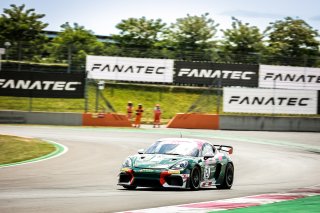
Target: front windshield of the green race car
{"x": 174, "y": 148}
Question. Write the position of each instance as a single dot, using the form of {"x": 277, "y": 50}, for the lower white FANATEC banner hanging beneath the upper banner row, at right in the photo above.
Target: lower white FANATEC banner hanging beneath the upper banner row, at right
{"x": 253, "y": 100}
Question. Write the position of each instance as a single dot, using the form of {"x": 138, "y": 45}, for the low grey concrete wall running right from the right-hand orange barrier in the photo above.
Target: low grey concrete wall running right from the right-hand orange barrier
{"x": 259, "y": 123}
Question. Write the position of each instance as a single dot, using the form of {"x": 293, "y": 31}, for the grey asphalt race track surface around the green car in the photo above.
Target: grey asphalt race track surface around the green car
{"x": 85, "y": 178}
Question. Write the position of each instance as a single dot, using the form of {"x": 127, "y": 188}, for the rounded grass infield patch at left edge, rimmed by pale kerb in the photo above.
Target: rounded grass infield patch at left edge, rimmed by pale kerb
{"x": 17, "y": 150}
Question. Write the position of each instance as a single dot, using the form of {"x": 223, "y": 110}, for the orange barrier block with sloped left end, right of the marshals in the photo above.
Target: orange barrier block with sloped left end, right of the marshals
{"x": 194, "y": 121}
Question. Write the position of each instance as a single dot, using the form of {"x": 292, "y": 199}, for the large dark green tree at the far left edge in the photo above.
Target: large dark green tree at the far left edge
{"x": 23, "y": 29}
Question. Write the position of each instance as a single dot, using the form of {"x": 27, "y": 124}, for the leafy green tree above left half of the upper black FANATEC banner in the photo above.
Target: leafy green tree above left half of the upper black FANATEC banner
{"x": 192, "y": 36}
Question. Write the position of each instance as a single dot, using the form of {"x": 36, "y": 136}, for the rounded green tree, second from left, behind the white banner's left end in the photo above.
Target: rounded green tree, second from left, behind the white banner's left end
{"x": 74, "y": 43}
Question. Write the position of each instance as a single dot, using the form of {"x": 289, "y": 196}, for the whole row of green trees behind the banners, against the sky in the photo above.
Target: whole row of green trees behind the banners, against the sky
{"x": 291, "y": 41}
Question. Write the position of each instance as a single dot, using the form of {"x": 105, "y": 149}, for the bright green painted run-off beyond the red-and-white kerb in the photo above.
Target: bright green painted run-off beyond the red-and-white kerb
{"x": 307, "y": 204}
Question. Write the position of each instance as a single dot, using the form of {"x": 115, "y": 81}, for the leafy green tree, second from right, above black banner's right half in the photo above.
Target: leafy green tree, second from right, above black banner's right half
{"x": 242, "y": 43}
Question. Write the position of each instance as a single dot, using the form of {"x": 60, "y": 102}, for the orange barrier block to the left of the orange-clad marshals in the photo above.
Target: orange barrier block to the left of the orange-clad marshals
{"x": 105, "y": 119}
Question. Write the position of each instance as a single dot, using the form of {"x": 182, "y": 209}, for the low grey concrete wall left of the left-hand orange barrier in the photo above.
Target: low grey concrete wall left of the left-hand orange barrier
{"x": 48, "y": 118}
